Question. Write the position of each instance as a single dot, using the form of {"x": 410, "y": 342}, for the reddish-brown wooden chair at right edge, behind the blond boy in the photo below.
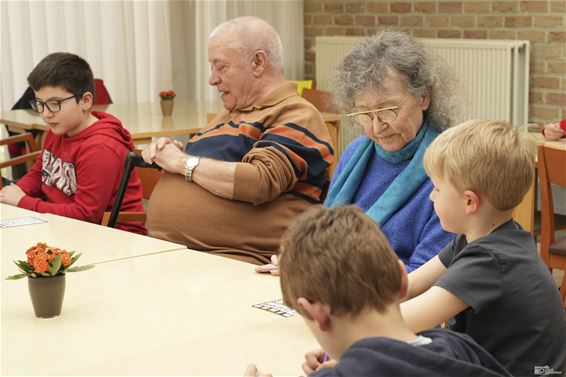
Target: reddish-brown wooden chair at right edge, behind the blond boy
{"x": 552, "y": 170}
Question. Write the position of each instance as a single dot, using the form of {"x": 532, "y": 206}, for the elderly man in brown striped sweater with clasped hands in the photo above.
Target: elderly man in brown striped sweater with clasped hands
{"x": 236, "y": 185}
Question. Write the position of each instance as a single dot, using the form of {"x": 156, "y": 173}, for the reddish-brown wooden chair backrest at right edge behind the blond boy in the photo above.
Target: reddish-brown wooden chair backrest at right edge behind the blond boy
{"x": 552, "y": 170}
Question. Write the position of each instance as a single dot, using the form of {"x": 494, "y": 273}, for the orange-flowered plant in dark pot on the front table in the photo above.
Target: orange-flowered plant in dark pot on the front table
{"x": 45, "y": 269}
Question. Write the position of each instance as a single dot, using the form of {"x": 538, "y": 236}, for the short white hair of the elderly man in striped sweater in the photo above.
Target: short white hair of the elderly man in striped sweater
{"x": 249, "y": 34}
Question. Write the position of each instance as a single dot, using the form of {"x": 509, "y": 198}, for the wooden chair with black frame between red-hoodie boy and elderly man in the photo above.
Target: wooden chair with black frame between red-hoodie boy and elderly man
{"x": 148, "y": 174}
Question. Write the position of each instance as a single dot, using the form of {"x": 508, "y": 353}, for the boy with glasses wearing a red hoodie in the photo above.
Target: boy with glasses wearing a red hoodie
{"x": 81, "y": 163}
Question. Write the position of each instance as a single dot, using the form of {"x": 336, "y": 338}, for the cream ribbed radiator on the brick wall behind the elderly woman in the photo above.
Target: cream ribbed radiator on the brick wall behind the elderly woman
{"x": 495, "y": 74}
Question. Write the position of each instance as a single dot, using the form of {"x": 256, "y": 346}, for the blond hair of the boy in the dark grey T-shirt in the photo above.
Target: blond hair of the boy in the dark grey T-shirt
{"x": 491, "y": 158}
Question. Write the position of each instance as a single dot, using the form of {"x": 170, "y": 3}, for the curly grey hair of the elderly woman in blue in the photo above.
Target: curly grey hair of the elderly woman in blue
{"x": 366, "y": 68}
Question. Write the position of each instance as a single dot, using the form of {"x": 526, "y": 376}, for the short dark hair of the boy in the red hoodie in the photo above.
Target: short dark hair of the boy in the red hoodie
{"x": 63, "y": 69}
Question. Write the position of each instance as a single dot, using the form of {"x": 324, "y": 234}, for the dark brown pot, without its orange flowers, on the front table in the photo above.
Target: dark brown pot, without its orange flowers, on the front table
{"x": 47, "y": 295}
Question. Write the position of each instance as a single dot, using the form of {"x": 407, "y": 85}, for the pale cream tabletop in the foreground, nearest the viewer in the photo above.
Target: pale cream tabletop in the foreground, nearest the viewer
{"x": 176, "y": 313}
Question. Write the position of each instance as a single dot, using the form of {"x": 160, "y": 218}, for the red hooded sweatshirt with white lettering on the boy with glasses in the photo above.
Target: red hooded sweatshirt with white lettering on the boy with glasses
{"x": 78, "y": 176}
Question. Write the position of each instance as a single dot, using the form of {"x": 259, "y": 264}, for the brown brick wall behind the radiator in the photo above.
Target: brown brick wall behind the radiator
{"x": 543, "y": 22}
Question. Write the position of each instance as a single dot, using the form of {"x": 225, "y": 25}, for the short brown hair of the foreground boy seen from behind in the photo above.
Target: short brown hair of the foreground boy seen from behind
{"x": 340, "y": 257}
